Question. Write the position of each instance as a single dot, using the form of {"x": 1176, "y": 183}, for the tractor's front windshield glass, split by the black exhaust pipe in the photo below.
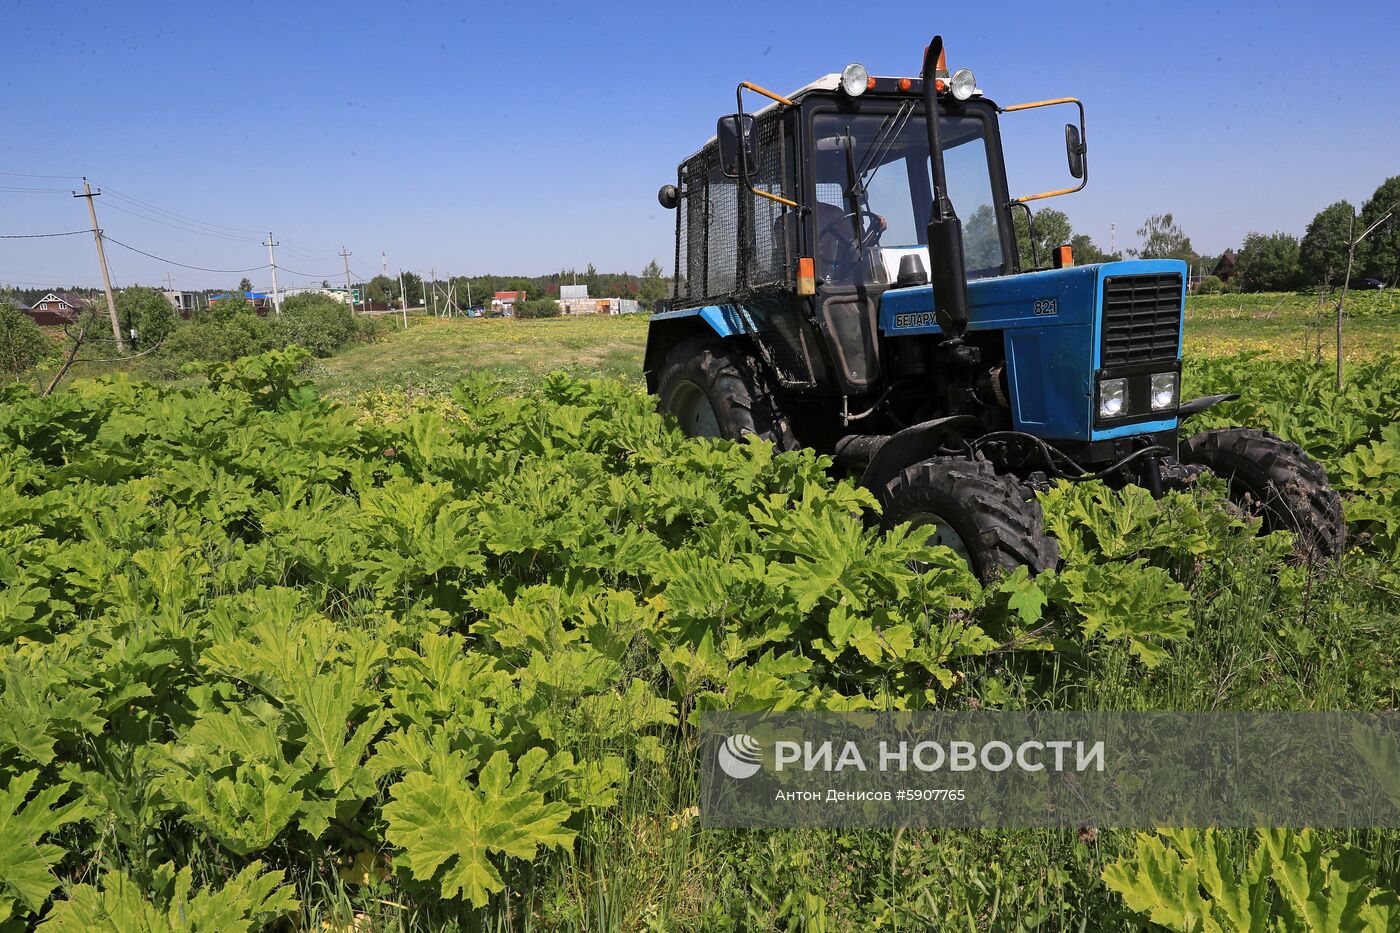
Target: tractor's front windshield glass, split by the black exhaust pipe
{"x": 874, "y": 193}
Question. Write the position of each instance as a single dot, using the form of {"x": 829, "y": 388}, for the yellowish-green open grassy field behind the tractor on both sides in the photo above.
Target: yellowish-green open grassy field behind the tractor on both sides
{"x": 435, "y": 355}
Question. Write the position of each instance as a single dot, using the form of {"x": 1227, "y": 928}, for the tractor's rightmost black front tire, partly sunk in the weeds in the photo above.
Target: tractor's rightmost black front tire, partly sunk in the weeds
{"x": 1279, "y": 483}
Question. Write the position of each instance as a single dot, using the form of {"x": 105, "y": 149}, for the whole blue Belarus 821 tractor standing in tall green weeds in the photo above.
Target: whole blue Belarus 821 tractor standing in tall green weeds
{"x": 829, "y": 296}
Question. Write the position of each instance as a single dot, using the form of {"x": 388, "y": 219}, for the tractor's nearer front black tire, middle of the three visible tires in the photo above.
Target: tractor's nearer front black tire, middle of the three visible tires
{"x": 996, "y": 520}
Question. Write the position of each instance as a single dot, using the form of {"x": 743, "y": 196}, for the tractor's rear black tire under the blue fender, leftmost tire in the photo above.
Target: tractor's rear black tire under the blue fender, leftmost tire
{"x": 717, "y": 390}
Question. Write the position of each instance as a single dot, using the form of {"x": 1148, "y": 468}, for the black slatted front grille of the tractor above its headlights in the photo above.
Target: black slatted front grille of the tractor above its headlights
{"x": 1142, "y": 319}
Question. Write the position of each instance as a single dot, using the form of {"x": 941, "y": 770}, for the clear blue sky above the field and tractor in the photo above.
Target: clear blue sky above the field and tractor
{"x": 521, "y": 139}
